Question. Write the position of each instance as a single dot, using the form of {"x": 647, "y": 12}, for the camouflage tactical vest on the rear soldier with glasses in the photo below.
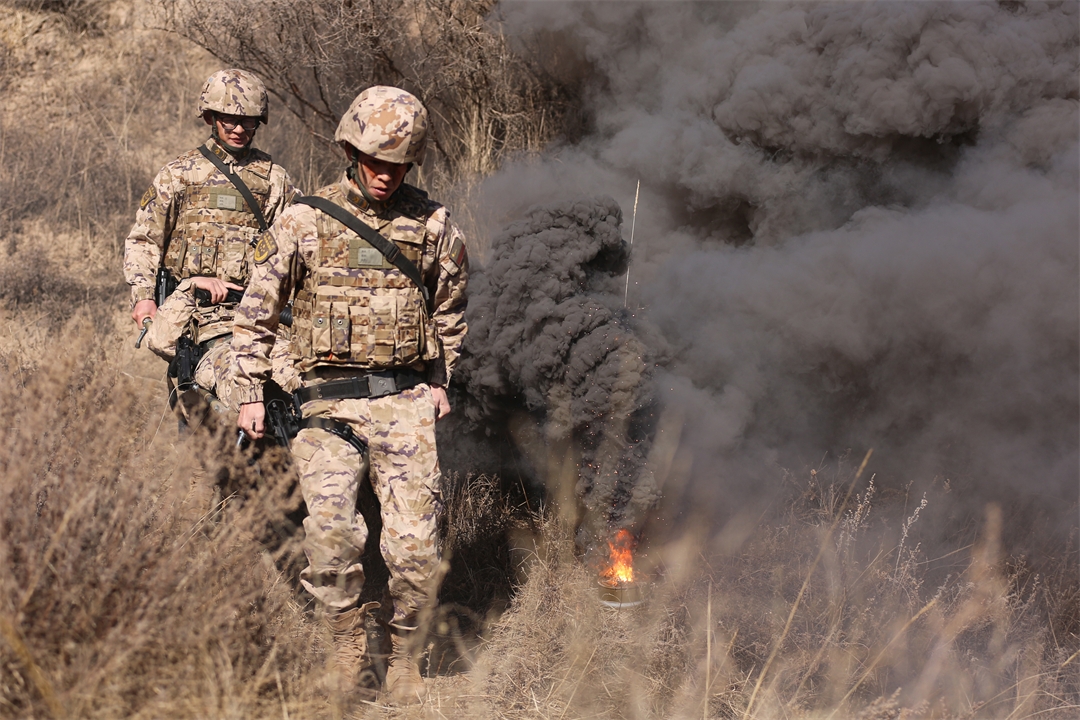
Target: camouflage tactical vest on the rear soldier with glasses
{"x": 215, "y": 229}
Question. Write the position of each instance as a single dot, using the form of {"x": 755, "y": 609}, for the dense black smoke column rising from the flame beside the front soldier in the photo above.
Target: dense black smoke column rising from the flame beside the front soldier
{"x": 553, "y": 358}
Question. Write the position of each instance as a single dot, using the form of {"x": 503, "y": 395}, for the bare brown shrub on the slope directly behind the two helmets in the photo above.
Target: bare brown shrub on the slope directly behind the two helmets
{"x": 488, "y": 100}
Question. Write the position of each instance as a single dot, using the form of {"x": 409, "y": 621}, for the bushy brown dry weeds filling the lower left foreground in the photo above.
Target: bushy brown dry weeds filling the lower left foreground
{"x": 120, "y": 596}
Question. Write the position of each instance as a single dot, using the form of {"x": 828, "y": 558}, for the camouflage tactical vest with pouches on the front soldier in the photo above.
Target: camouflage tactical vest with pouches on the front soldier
{"x": 355, "y": 308}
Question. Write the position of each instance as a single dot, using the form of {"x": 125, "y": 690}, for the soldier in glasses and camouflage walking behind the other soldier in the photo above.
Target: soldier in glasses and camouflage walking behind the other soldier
{"x": 199, "y": 219}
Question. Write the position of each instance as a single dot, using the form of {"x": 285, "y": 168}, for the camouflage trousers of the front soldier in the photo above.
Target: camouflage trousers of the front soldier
{"x": 400, "y": 431}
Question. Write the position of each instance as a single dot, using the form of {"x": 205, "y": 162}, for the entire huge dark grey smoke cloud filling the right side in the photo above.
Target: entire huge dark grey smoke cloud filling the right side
{"x": 858, "y": 229}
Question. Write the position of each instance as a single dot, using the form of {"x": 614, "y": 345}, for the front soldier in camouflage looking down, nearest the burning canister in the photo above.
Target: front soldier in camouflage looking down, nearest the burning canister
{"x": 374, "y": 356}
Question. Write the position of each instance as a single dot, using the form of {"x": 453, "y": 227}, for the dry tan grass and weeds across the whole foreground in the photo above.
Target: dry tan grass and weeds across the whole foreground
{"x": 121, "y": 595}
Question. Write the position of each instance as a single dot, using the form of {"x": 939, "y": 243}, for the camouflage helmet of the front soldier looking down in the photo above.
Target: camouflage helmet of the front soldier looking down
{"x": 387, "y": 124}
